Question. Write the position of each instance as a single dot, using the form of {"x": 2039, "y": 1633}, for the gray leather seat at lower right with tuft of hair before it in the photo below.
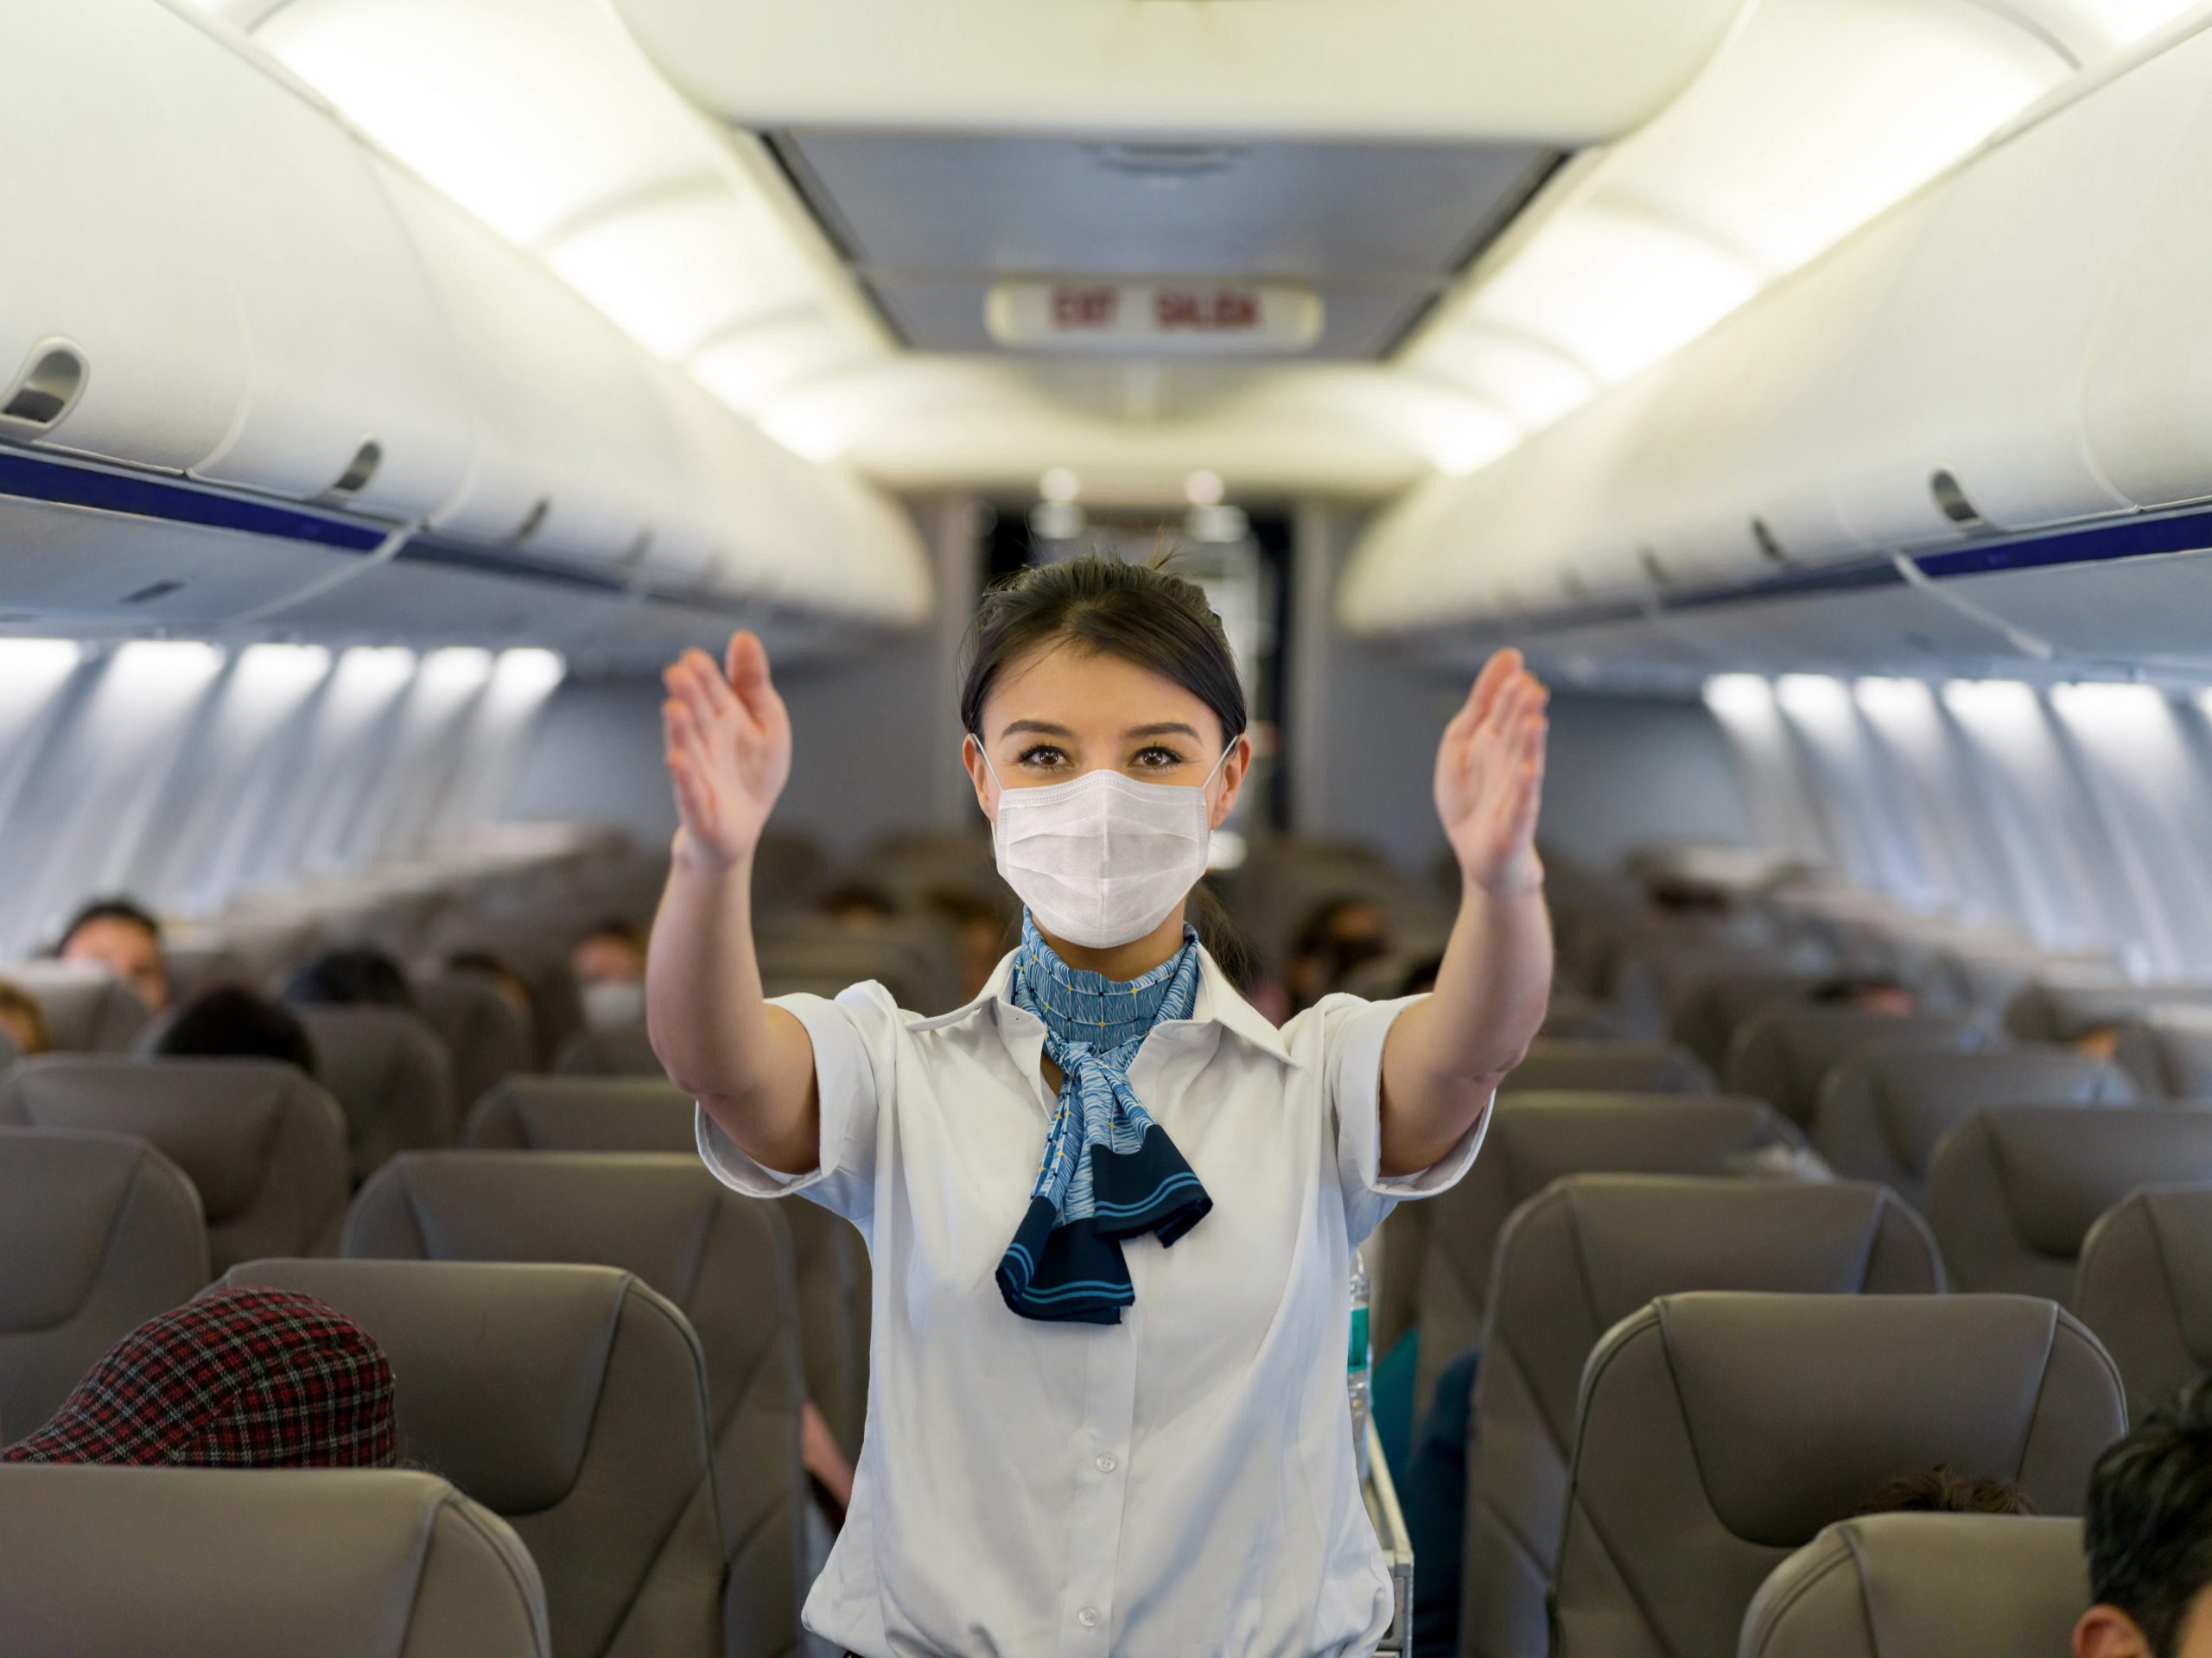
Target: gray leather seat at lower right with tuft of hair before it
{"x": 1720, "y": 1434}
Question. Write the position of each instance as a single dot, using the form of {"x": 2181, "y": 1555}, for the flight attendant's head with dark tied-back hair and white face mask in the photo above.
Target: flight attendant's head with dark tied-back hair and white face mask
{"x": 1094, "y": 667}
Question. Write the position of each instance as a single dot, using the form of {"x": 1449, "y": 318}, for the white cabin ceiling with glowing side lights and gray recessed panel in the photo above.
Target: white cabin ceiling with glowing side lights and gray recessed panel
{"x": 820, "y": 249}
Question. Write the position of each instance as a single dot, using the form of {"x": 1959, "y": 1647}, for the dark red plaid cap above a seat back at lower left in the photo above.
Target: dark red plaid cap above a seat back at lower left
{"x": 247, "y": 1378}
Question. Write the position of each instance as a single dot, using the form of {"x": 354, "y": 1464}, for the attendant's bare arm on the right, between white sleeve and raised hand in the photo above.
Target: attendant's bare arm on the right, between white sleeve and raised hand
{"x": 1446, "y": 1056}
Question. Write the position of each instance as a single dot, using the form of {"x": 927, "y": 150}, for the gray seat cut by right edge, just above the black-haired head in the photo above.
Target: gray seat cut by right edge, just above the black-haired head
{"x": 2145, "y": 1288}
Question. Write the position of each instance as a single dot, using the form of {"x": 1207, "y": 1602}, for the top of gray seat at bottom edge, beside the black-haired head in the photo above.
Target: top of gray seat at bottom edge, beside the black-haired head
{"x": 1923, "y": 1586}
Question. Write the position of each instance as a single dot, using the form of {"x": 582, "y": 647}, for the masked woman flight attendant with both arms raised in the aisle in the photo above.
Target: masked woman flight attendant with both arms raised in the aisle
{"x": 1112, "y": 1208}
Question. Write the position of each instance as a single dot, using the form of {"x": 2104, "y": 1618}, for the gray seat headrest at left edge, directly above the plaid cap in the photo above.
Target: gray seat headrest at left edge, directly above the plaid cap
{"x": 63, "y": 1197}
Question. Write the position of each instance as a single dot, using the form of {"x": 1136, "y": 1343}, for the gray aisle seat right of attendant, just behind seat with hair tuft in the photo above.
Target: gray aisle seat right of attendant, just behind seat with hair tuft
{"x": 1572, "y": 1266}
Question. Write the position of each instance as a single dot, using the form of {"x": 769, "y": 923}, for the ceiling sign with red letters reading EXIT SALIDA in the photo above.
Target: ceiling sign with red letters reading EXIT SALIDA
{"x": 1154, "y": 317}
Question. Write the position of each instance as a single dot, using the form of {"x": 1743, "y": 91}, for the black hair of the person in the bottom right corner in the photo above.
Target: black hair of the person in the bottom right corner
{"x": 2149, "y": 1524}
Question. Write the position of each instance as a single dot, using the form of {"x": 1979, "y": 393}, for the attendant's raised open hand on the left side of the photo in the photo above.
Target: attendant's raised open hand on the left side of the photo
{"x": 729, "y": 751}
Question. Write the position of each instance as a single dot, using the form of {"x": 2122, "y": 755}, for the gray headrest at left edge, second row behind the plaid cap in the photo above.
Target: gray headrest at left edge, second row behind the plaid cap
{"x": 218, "y": 1120}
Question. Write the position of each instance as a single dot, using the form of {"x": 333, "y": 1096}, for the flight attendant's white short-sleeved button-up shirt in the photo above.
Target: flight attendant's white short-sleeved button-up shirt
{"x": 1171, "y": 1487}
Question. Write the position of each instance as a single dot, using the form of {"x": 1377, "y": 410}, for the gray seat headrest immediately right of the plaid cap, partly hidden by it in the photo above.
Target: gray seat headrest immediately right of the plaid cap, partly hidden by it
{"x": 499, "y": 1365}
